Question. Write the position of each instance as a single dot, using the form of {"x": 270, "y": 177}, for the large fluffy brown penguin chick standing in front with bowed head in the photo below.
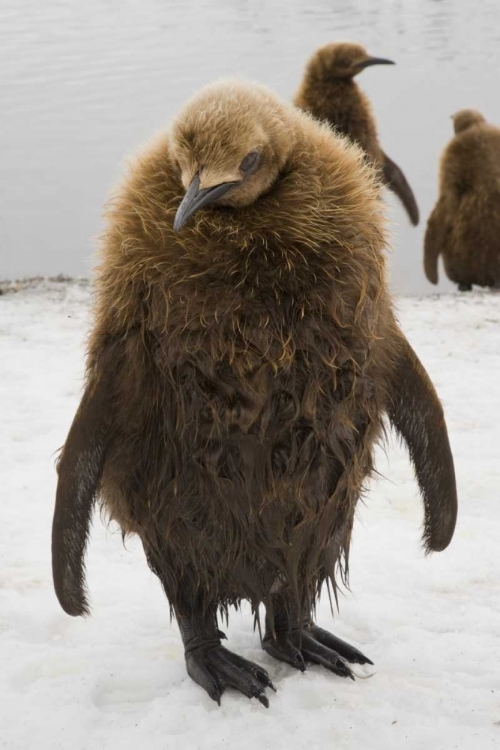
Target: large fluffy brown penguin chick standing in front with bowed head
{"x": 243, "y": 354}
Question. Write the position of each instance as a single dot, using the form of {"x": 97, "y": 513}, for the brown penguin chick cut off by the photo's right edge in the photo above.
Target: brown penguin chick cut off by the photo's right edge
{"x": 464, "y": 226}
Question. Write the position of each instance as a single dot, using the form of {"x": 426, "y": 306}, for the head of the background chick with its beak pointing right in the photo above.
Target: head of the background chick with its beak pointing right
{"x": 342, "y": 60}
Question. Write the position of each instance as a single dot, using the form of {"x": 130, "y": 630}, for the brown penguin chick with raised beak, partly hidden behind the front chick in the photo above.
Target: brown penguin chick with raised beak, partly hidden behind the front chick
{"x": 328, "y": 91}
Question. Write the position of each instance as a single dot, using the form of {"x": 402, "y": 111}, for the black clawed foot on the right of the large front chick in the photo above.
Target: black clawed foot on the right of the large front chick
{"x": 313, "y": 645}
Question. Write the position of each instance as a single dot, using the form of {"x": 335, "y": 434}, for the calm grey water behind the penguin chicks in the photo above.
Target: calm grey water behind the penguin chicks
{"x": 84, "y": 82}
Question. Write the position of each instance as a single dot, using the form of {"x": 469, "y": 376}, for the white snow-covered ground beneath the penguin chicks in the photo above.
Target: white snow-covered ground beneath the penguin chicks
{"x": 117, "y": 680}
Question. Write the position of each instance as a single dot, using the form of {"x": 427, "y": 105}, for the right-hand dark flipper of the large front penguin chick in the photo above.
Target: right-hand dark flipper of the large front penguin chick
{"x": 415, "y": 411}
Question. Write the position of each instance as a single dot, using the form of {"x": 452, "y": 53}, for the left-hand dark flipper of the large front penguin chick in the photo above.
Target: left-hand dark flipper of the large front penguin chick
{"x": 80, "y": 467}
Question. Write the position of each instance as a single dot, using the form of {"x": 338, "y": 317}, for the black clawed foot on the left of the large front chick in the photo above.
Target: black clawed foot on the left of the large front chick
{"x": 215, "y": 668}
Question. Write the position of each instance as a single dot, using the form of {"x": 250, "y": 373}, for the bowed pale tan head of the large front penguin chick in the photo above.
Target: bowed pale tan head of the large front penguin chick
{"x": 230, "y": 142}
